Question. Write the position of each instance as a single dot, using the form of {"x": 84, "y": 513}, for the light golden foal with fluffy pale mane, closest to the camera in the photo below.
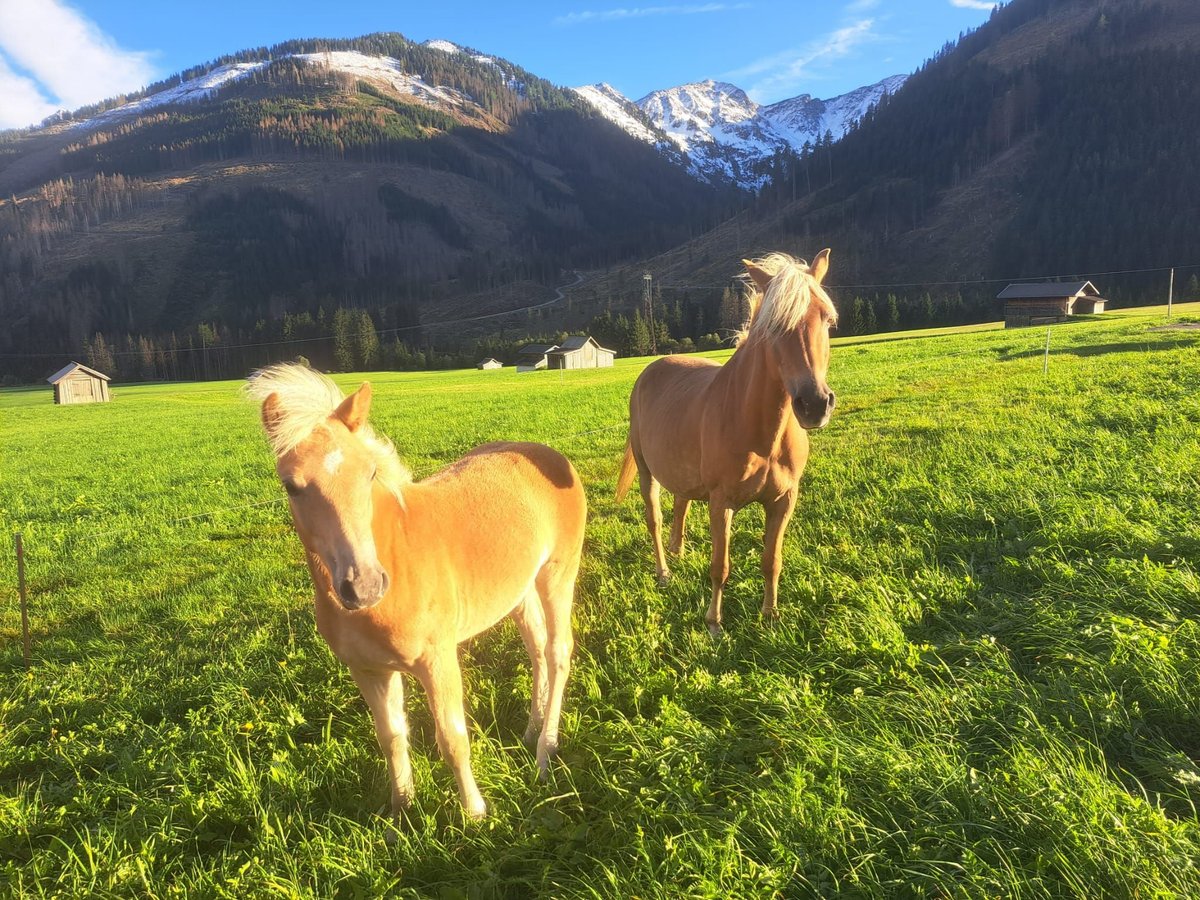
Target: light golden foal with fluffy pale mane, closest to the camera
{"x": 405, "y": 572}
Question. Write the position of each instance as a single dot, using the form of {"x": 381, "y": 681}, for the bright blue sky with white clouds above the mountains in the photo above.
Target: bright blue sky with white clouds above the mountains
{"x": 67, "y": 53}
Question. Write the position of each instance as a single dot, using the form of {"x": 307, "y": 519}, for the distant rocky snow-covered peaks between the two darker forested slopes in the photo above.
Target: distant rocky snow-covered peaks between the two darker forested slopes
{"x": 728, "y": 137}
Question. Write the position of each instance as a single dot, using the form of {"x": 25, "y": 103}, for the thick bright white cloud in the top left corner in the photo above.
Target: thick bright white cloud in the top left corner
{"x": 71, "y": 61}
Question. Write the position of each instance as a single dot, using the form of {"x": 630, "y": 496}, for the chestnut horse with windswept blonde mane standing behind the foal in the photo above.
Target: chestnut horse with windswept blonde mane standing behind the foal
{"x": 735, "y": 435}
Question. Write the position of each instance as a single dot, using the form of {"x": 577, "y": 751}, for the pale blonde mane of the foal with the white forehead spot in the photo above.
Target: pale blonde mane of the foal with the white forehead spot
{"x": 305, "y": 399}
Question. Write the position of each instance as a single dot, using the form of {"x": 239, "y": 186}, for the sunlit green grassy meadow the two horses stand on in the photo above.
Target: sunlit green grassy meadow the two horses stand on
{"x": 986, "y": 683}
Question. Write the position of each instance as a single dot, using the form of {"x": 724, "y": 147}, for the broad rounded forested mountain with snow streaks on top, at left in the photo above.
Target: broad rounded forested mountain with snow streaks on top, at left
{"x": 278, "y": 185}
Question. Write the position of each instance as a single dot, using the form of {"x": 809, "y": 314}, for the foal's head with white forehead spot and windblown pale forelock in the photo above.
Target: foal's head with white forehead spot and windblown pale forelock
{"x": 328, "y": 464}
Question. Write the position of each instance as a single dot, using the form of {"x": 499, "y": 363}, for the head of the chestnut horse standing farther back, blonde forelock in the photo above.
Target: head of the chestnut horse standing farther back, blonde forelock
{"x": 791, "y": 315}
